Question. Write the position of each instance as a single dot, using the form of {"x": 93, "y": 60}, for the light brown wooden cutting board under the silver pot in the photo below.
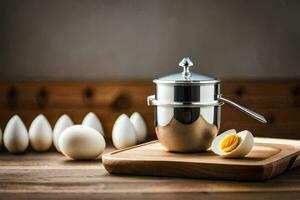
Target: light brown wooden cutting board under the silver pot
{"x": 268, "y": 158}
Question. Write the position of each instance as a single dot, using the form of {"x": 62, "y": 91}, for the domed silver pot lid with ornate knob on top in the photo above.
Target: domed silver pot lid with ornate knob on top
{"x": 186, "y": 76}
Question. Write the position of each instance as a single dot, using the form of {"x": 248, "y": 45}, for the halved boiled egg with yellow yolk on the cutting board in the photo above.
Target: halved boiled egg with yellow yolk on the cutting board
{"x": 231, "y": 144}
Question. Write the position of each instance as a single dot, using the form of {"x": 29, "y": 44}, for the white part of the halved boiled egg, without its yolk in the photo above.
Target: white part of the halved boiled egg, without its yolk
{"x": 246, "y": 142}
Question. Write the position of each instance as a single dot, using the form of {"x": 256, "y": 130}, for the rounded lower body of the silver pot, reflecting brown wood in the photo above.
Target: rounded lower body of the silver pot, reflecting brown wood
{"x": 190, "y": 129}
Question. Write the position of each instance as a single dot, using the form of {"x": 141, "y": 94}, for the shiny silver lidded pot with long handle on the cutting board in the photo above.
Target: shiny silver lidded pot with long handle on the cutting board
{"x": 188, "y": 110}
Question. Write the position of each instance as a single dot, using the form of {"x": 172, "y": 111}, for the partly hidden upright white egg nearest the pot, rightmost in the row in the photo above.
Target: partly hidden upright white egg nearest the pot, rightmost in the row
{"x": 139, "y": 126}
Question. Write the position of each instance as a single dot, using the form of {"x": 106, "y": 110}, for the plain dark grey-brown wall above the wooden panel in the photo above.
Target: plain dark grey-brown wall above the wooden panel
{"x": 139, "y": 39}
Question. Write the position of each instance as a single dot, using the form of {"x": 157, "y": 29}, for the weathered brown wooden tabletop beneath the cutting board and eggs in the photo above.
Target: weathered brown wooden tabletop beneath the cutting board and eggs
{"x": 52, "y": 176}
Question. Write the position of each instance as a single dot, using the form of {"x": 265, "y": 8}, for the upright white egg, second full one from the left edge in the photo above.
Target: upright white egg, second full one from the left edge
{"x": 40, "y": 134}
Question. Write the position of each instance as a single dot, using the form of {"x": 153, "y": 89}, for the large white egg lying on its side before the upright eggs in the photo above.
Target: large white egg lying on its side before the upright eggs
{"x": 81, "y": 142}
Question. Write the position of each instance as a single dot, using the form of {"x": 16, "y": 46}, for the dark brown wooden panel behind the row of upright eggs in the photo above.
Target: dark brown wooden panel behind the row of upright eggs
{"x": 278, "y": 100}
